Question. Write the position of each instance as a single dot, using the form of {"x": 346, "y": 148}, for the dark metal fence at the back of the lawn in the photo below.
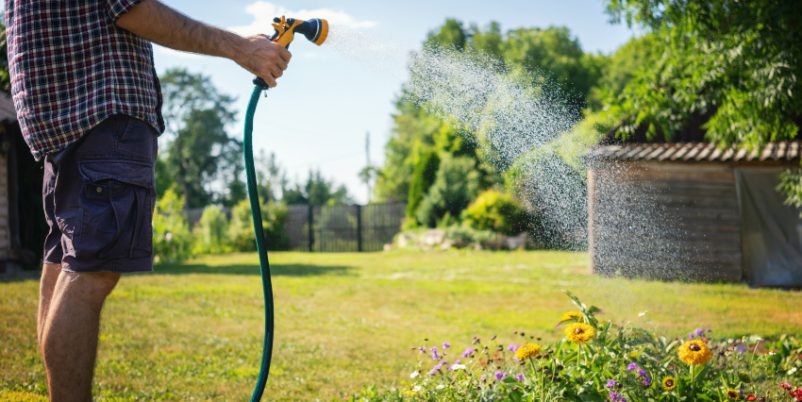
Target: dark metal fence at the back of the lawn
{"x": 343, "y": 227}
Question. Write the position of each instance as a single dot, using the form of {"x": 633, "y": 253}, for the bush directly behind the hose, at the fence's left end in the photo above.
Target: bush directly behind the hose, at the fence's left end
{"x": 240, "y": 230}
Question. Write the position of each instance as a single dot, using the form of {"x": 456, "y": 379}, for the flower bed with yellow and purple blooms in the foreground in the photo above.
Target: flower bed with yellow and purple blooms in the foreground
{"x": 601, "y": 361}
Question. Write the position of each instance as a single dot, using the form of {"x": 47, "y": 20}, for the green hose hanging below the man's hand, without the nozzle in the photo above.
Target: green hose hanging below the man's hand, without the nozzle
{"x": 264, "y": 264}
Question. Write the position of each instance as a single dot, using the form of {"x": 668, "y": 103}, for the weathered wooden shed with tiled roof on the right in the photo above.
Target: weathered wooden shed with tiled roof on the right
{"x": 694, "y": 211}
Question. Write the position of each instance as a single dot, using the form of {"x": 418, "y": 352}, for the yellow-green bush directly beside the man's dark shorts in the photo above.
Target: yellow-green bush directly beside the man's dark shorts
{"x": 172, "y": 241}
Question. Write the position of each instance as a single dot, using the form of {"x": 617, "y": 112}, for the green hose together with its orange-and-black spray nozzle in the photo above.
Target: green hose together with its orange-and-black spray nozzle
{"x": 316, "y": 31}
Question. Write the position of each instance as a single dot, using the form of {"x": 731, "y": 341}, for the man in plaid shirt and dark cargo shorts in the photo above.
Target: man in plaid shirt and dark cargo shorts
{"x": 88, "y": 102}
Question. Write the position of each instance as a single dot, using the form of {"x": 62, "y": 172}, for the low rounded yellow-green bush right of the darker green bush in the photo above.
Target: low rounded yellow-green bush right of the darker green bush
{"x": 496, "y": 211}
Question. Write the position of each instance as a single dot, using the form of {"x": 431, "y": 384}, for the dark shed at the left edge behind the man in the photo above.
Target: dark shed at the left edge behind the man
{"x": 22, "y": 226}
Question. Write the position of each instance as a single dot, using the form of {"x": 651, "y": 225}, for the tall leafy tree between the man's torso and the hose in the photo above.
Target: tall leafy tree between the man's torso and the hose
{"x": 200, "y": 153}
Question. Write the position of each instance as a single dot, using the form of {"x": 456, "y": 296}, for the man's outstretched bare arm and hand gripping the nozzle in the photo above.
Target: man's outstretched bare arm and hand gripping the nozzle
{"x": 158, "y": 23}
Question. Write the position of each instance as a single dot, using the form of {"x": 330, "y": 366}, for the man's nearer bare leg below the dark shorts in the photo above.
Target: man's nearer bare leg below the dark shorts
{"x": 71, "y": 333}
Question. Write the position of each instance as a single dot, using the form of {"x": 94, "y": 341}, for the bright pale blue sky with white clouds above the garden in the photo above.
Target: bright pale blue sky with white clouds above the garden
{"x": 329, "y": 98}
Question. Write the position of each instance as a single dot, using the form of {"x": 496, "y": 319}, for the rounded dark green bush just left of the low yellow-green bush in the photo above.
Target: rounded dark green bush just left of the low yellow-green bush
{"x": 456, "y": 184}
